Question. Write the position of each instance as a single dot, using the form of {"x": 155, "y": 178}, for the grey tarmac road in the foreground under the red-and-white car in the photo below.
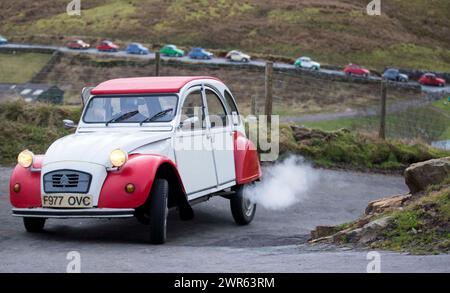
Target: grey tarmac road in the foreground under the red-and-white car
{"x": 276, "y": 241}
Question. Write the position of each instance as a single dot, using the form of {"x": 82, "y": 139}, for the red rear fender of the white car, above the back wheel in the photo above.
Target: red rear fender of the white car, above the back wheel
{"x": 246, "y": 159}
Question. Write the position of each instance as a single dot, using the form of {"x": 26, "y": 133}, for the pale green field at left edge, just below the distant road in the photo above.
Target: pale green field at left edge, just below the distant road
{"x": 20, "y": 67}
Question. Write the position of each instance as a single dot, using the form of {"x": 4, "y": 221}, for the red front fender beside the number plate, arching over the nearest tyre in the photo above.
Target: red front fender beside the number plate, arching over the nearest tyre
{"x": 139, "y": 170}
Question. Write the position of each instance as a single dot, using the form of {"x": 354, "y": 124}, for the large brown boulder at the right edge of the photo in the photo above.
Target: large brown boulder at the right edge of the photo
{"x": 420, "y": 175}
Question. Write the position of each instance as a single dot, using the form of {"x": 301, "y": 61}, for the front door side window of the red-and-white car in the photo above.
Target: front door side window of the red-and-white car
{"x": 192, "y": 114}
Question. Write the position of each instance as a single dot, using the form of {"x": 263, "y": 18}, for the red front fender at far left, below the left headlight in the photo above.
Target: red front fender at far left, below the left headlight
{"x": 29, "y": 195}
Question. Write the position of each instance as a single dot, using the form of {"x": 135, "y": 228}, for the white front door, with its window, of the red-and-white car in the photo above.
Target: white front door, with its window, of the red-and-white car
{"x": 192, "y": 146}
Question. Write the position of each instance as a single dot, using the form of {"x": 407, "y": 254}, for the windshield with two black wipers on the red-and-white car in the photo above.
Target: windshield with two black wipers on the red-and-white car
{"x": 130, "y": 109}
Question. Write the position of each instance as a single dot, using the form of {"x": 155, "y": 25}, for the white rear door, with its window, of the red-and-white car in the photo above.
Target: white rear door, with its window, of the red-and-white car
{"x": 221, "y": 132}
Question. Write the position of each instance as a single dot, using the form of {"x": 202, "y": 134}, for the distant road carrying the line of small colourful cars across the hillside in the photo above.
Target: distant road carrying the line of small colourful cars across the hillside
{"x": 214, "y": 60}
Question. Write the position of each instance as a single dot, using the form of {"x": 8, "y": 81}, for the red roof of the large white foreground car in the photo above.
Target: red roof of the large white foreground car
{"x": 144, "y": 85}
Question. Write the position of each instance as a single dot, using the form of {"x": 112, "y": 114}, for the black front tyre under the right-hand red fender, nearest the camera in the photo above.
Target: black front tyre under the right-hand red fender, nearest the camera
{"x": 158, "y": 211}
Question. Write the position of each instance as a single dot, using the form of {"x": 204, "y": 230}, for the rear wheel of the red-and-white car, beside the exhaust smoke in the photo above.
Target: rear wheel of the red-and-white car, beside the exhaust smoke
{"x": 242, "y": 209}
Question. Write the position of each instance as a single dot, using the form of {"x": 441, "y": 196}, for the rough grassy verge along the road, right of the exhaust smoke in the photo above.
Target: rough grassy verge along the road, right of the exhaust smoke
{"x": 343, "y": 148}
